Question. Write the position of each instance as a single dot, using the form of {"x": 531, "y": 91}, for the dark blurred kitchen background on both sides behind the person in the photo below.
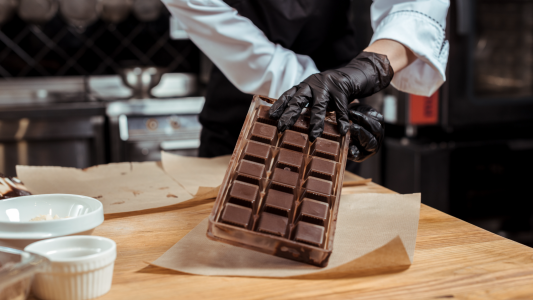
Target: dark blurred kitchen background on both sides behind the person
{"x": 86, "y": 82}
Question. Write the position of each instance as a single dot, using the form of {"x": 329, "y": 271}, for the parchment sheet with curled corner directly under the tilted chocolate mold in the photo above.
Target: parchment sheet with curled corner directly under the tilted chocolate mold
{"x": 374, "y": 232}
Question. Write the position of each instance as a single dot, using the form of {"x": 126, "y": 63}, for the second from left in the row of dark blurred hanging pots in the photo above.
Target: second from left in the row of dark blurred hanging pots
{"x": 37, "y": 11}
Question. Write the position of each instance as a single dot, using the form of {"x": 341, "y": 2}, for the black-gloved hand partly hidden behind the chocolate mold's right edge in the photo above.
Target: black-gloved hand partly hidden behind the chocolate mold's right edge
{"x": 366, "y": 131}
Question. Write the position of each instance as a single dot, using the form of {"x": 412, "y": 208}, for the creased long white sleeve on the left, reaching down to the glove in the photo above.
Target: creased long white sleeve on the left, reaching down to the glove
{"x": 239, "y": 49}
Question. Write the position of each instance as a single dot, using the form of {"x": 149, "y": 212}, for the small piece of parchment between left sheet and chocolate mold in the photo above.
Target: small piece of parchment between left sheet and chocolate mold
{"x": 197, "y": 175}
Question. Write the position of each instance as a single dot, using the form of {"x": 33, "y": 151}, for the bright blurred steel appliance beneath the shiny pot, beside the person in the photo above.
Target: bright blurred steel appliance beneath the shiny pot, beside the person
{"x": 140, "y": 129}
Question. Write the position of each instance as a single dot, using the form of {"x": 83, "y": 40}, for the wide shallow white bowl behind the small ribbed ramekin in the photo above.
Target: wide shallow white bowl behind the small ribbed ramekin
{"x": 17, "y": 231}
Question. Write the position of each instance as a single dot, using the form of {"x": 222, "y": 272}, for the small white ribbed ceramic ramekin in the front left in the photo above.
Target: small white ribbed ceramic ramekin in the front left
{"x": 81, "y": 267}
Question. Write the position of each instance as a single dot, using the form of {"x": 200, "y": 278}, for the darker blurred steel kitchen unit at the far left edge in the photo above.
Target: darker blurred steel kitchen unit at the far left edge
{"x": 48, "y": 121}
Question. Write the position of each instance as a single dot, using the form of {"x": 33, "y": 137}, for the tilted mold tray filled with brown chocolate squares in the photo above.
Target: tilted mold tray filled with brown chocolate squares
{"x": 280, "y": 193}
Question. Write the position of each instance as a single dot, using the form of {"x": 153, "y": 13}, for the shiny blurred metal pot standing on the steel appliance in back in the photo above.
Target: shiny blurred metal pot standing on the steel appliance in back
{"x": 141, "y": 80}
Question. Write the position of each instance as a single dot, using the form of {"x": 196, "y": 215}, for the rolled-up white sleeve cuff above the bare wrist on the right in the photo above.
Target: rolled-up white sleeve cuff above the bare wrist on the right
{"x": 418, "y": 25}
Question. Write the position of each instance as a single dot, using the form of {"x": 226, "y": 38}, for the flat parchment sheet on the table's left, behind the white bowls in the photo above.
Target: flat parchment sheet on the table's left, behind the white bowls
{"x": 121, "y": 187}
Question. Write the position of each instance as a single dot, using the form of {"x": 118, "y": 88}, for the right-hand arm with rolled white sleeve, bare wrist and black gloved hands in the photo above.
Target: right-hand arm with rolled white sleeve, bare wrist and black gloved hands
{"x": 408, "y": 49}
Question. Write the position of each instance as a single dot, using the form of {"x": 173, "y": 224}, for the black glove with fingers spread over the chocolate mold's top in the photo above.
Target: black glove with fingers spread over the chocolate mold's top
{"x": 333, "y": 90}
